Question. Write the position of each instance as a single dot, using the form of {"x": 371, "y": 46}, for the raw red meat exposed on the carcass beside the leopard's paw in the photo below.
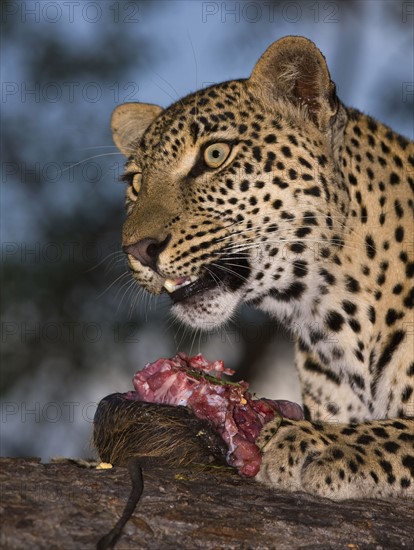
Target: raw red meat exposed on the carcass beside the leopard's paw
{"x": 195, "y": 383}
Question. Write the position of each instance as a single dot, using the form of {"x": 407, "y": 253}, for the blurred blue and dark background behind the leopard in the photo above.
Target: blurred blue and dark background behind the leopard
{"x": 73, "y": 327}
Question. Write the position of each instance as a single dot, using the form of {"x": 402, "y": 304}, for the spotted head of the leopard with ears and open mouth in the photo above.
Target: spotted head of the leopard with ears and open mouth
{"x": 230, "y": 189}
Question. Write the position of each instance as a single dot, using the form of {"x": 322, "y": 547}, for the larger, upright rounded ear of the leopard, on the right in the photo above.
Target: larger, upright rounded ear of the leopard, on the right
{"x": 294, "y": 69}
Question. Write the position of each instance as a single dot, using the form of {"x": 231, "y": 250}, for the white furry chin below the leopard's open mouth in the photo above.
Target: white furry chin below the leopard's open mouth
{"x": 208, "y": 310}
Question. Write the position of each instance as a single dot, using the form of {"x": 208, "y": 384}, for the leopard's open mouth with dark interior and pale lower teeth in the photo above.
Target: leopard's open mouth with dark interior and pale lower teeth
{"x": 216, "y": 275}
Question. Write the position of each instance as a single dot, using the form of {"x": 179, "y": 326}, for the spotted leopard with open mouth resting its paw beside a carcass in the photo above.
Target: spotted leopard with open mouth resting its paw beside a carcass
{"x": 269, "y": 191}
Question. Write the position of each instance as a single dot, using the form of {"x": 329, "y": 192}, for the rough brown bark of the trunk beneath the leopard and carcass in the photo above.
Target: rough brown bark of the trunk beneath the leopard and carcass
{"x": 65, "y": 506}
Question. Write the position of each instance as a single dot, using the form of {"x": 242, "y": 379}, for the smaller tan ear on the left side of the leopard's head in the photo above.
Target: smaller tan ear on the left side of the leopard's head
{"x": 129, "y": 122}
